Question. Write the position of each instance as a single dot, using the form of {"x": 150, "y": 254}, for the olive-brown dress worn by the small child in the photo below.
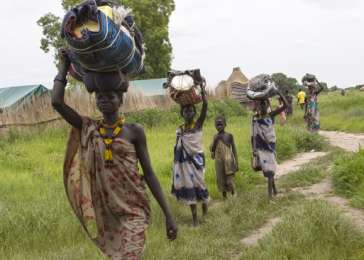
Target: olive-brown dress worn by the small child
{"x": 225, "y": 167}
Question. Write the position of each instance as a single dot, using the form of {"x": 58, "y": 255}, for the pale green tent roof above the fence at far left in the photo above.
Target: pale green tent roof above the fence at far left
{"x": 11, "y": 97}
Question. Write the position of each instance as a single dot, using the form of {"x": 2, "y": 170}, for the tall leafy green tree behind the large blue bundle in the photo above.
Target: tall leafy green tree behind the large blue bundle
{"x": 152, "y": 18}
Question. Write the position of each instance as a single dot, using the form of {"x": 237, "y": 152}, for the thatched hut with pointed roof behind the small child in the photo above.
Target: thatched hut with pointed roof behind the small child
{"x": 234, "y": 87}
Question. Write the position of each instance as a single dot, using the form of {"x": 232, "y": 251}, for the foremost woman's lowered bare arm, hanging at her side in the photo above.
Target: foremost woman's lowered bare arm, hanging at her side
{"x": 152, "y": 181}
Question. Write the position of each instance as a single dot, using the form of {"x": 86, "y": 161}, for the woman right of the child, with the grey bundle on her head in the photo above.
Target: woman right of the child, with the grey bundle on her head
{"x": 260, "y": 89}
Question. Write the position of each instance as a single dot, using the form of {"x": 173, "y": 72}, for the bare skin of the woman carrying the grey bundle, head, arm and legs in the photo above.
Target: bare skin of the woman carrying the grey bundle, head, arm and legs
{"x": 262, "y": 109}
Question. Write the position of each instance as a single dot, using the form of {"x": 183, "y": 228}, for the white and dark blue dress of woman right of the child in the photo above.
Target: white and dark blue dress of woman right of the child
{"x": 264, "y": 143}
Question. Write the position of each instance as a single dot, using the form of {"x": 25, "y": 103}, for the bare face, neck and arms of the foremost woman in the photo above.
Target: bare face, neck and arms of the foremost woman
{"x": 108, "y": 103}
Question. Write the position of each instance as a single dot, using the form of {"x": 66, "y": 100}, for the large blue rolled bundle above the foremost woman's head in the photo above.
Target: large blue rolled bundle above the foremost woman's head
{"x": 102, "y": 38}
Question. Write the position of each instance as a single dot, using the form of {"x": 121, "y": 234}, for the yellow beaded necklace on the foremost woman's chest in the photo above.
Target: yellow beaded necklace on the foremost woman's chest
{"x": 116, "y": 130}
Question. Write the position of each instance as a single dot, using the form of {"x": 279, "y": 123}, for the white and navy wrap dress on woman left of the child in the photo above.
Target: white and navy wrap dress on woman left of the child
{"x": 189, "y": 168}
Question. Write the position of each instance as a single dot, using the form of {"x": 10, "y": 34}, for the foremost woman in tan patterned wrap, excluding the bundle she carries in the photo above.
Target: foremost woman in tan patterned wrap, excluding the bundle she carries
{"x": 101, "y": 175}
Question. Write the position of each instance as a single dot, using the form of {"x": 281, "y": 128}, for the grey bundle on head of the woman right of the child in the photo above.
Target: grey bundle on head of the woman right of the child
{"x": 261, "y": 87}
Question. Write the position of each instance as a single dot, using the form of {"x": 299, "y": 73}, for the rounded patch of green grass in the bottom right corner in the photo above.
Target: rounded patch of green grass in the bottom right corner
{"x": 313, "y": 230}
